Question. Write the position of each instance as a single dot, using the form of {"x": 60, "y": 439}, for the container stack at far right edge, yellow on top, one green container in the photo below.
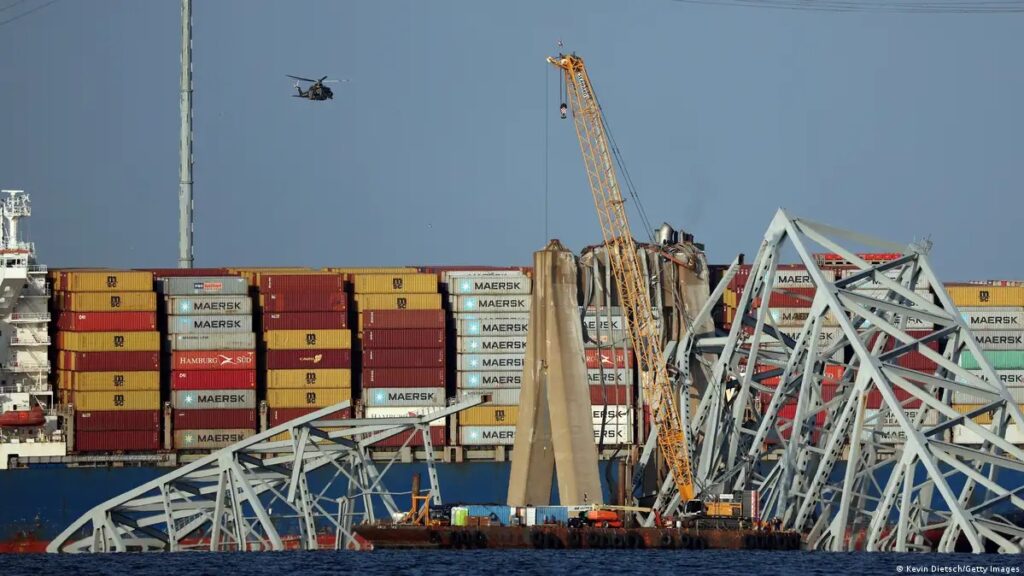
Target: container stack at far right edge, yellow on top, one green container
{"x": 996, "y": 315}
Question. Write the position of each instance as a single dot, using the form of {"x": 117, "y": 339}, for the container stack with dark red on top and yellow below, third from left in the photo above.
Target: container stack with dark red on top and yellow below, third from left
{"x": 309, "y": 359}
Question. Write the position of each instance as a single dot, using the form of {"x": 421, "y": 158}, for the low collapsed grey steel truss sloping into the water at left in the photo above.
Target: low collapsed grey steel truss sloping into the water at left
{"x": 258, "y": 493}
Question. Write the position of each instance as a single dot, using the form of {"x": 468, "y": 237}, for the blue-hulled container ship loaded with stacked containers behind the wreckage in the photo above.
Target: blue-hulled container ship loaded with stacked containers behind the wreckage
{"x": 112, "y": 378}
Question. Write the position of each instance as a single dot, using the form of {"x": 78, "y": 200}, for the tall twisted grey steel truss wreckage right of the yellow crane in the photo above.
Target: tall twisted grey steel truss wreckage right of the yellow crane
{"x": 888, "y": 479}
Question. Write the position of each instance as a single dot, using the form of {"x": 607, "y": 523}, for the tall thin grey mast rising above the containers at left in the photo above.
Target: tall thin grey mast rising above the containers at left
{"x": 185, "y": 192}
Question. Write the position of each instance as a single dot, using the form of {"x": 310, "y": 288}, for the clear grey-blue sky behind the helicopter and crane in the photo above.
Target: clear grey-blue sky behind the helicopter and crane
{"x": 899, "y": 126}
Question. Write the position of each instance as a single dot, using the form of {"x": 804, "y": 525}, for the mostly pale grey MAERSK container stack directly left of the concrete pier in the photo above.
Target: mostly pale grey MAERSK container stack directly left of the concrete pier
{"x": 491, "y": 316}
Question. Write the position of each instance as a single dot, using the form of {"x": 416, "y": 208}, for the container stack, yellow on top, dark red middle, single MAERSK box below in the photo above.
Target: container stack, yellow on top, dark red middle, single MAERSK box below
{"x": 402, "y": 335}
